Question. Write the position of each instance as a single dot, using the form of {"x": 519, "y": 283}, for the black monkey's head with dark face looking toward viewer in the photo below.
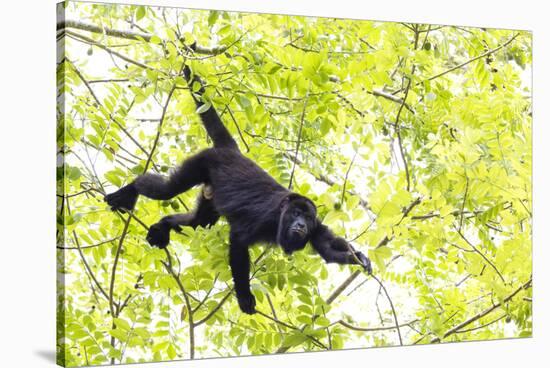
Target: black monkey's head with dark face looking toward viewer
{"x": 296, "y": 223}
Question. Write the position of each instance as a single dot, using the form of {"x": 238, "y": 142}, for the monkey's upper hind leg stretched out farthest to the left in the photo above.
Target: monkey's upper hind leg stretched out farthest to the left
{"x": 191, "y": 172}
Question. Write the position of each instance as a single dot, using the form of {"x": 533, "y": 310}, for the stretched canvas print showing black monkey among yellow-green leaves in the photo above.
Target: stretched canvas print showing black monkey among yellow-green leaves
{"x": 412, "y": 140}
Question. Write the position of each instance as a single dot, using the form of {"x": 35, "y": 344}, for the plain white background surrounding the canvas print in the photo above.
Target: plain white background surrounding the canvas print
{"x": 27, "y": 148}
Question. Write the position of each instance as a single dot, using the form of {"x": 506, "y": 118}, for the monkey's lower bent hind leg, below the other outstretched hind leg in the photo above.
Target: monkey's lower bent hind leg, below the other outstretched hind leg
{"x": 204, "y": 215}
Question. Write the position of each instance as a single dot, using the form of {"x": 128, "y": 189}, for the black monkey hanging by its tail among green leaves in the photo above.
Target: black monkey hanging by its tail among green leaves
{"x": 257, "y": 208}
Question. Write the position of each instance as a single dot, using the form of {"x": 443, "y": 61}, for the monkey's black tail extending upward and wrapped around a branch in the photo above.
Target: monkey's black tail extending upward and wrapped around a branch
{"x": 210, "y": 118}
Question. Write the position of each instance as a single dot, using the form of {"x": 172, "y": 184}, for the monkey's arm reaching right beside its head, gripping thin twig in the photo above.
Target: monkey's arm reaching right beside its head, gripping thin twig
{"x": 334, "y": 249}
